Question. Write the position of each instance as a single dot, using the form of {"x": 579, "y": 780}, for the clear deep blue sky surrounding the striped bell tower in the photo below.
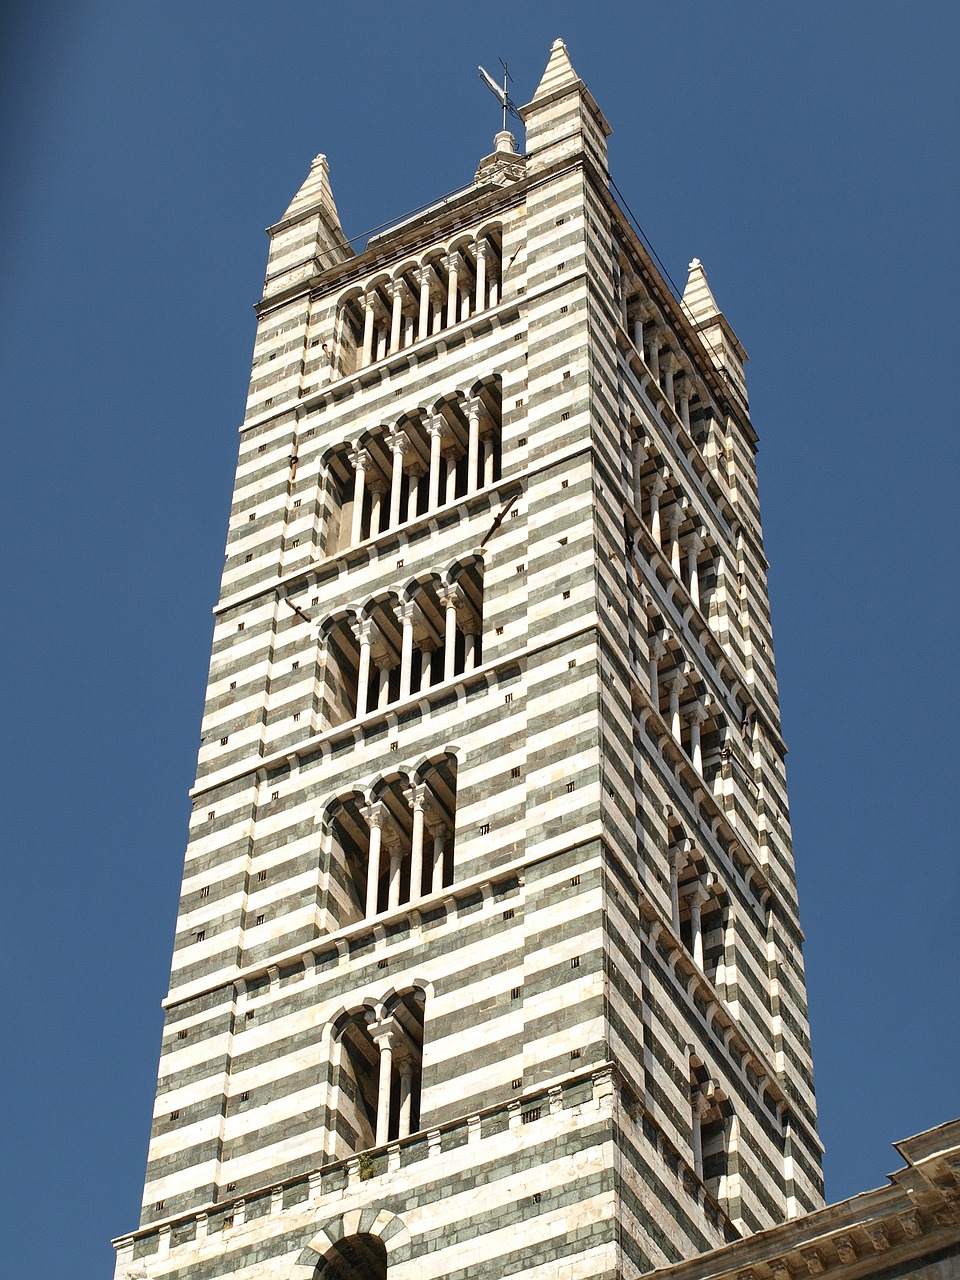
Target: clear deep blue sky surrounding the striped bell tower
{"x": 804, "y": 152}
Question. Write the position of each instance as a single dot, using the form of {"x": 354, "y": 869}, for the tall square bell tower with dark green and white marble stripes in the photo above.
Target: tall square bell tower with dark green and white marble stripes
{"x": 491, "y": 785}
